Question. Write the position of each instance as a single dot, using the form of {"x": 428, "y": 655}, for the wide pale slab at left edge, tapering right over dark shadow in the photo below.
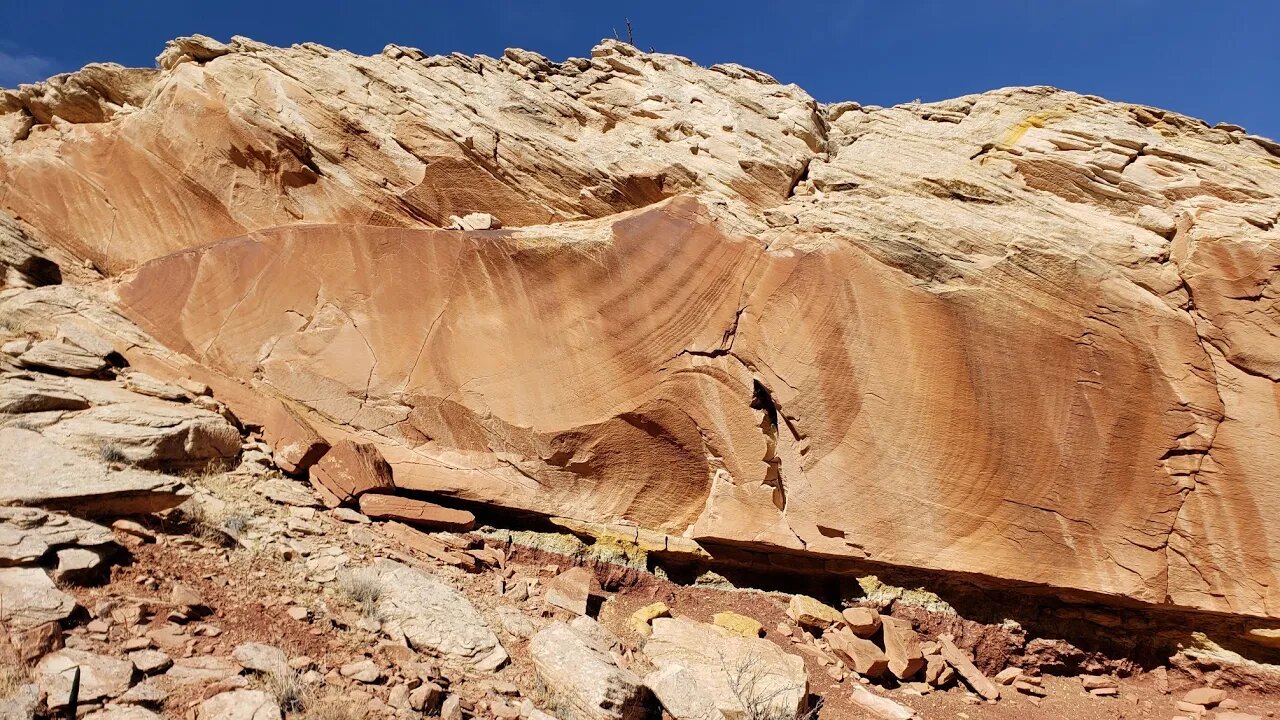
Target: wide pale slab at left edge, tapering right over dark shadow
{"x": 56, "y": 479}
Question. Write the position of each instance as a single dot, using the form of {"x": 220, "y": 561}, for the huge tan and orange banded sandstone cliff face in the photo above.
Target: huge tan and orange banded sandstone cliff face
{"x": 1026, "y": 335}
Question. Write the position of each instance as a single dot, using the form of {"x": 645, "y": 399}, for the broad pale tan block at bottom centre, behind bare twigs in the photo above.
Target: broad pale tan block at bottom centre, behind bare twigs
{"x": 708, "y": 672}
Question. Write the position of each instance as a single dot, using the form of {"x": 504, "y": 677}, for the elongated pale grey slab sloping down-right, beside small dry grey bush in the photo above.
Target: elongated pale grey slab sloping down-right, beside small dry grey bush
{"x": 436, "y": 618}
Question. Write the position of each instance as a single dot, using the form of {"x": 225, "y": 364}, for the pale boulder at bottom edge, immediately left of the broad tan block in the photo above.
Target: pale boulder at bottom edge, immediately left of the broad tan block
{"x": 583, "y": 677}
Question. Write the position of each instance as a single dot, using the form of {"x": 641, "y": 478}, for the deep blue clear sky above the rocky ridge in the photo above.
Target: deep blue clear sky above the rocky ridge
{"x": 1219, "y": 61}
